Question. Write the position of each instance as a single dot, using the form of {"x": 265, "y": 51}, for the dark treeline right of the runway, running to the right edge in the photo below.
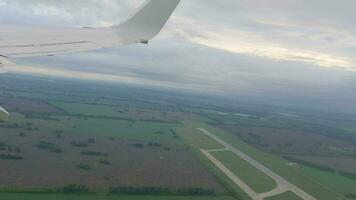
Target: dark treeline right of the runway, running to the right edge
{"x": 321, "y": 167}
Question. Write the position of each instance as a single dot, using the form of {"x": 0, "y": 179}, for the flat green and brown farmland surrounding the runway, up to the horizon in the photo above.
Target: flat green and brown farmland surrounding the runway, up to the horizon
{"x": 114, "y": 142}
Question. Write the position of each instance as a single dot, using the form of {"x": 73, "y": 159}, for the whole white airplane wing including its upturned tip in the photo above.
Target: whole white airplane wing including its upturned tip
{"x": 146, "y": 23}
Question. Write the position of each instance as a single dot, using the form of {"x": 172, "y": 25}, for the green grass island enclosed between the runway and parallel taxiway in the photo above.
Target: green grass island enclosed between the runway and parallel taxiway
{"x": 254, "y": 178}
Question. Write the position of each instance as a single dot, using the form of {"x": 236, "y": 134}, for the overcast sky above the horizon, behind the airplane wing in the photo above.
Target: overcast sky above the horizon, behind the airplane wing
{"x": 289, "y": 50}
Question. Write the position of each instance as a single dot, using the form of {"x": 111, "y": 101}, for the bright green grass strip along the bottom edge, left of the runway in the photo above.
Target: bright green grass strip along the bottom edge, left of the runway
{"x": 24, "y": 196}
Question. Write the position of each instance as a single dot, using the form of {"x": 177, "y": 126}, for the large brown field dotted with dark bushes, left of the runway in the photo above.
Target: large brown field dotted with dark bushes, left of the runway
{"x": 130, "y": 163}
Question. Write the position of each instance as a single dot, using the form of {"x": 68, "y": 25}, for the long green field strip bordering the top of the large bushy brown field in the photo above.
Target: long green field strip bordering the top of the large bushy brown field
{"x": 123, "y": 129}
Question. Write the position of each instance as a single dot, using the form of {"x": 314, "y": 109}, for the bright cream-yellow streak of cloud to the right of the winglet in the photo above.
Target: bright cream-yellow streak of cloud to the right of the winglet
{"x": 244, "y": 42}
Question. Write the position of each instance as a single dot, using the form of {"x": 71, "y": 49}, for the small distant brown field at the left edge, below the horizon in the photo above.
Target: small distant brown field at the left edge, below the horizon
{"x": 28, "y": 105}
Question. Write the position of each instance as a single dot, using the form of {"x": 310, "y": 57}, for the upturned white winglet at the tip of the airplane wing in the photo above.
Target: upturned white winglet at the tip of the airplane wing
{"x": 147, "y": 22}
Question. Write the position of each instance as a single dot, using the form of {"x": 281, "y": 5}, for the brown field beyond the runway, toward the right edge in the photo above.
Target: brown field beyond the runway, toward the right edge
{"x": 285, "y": 141}
